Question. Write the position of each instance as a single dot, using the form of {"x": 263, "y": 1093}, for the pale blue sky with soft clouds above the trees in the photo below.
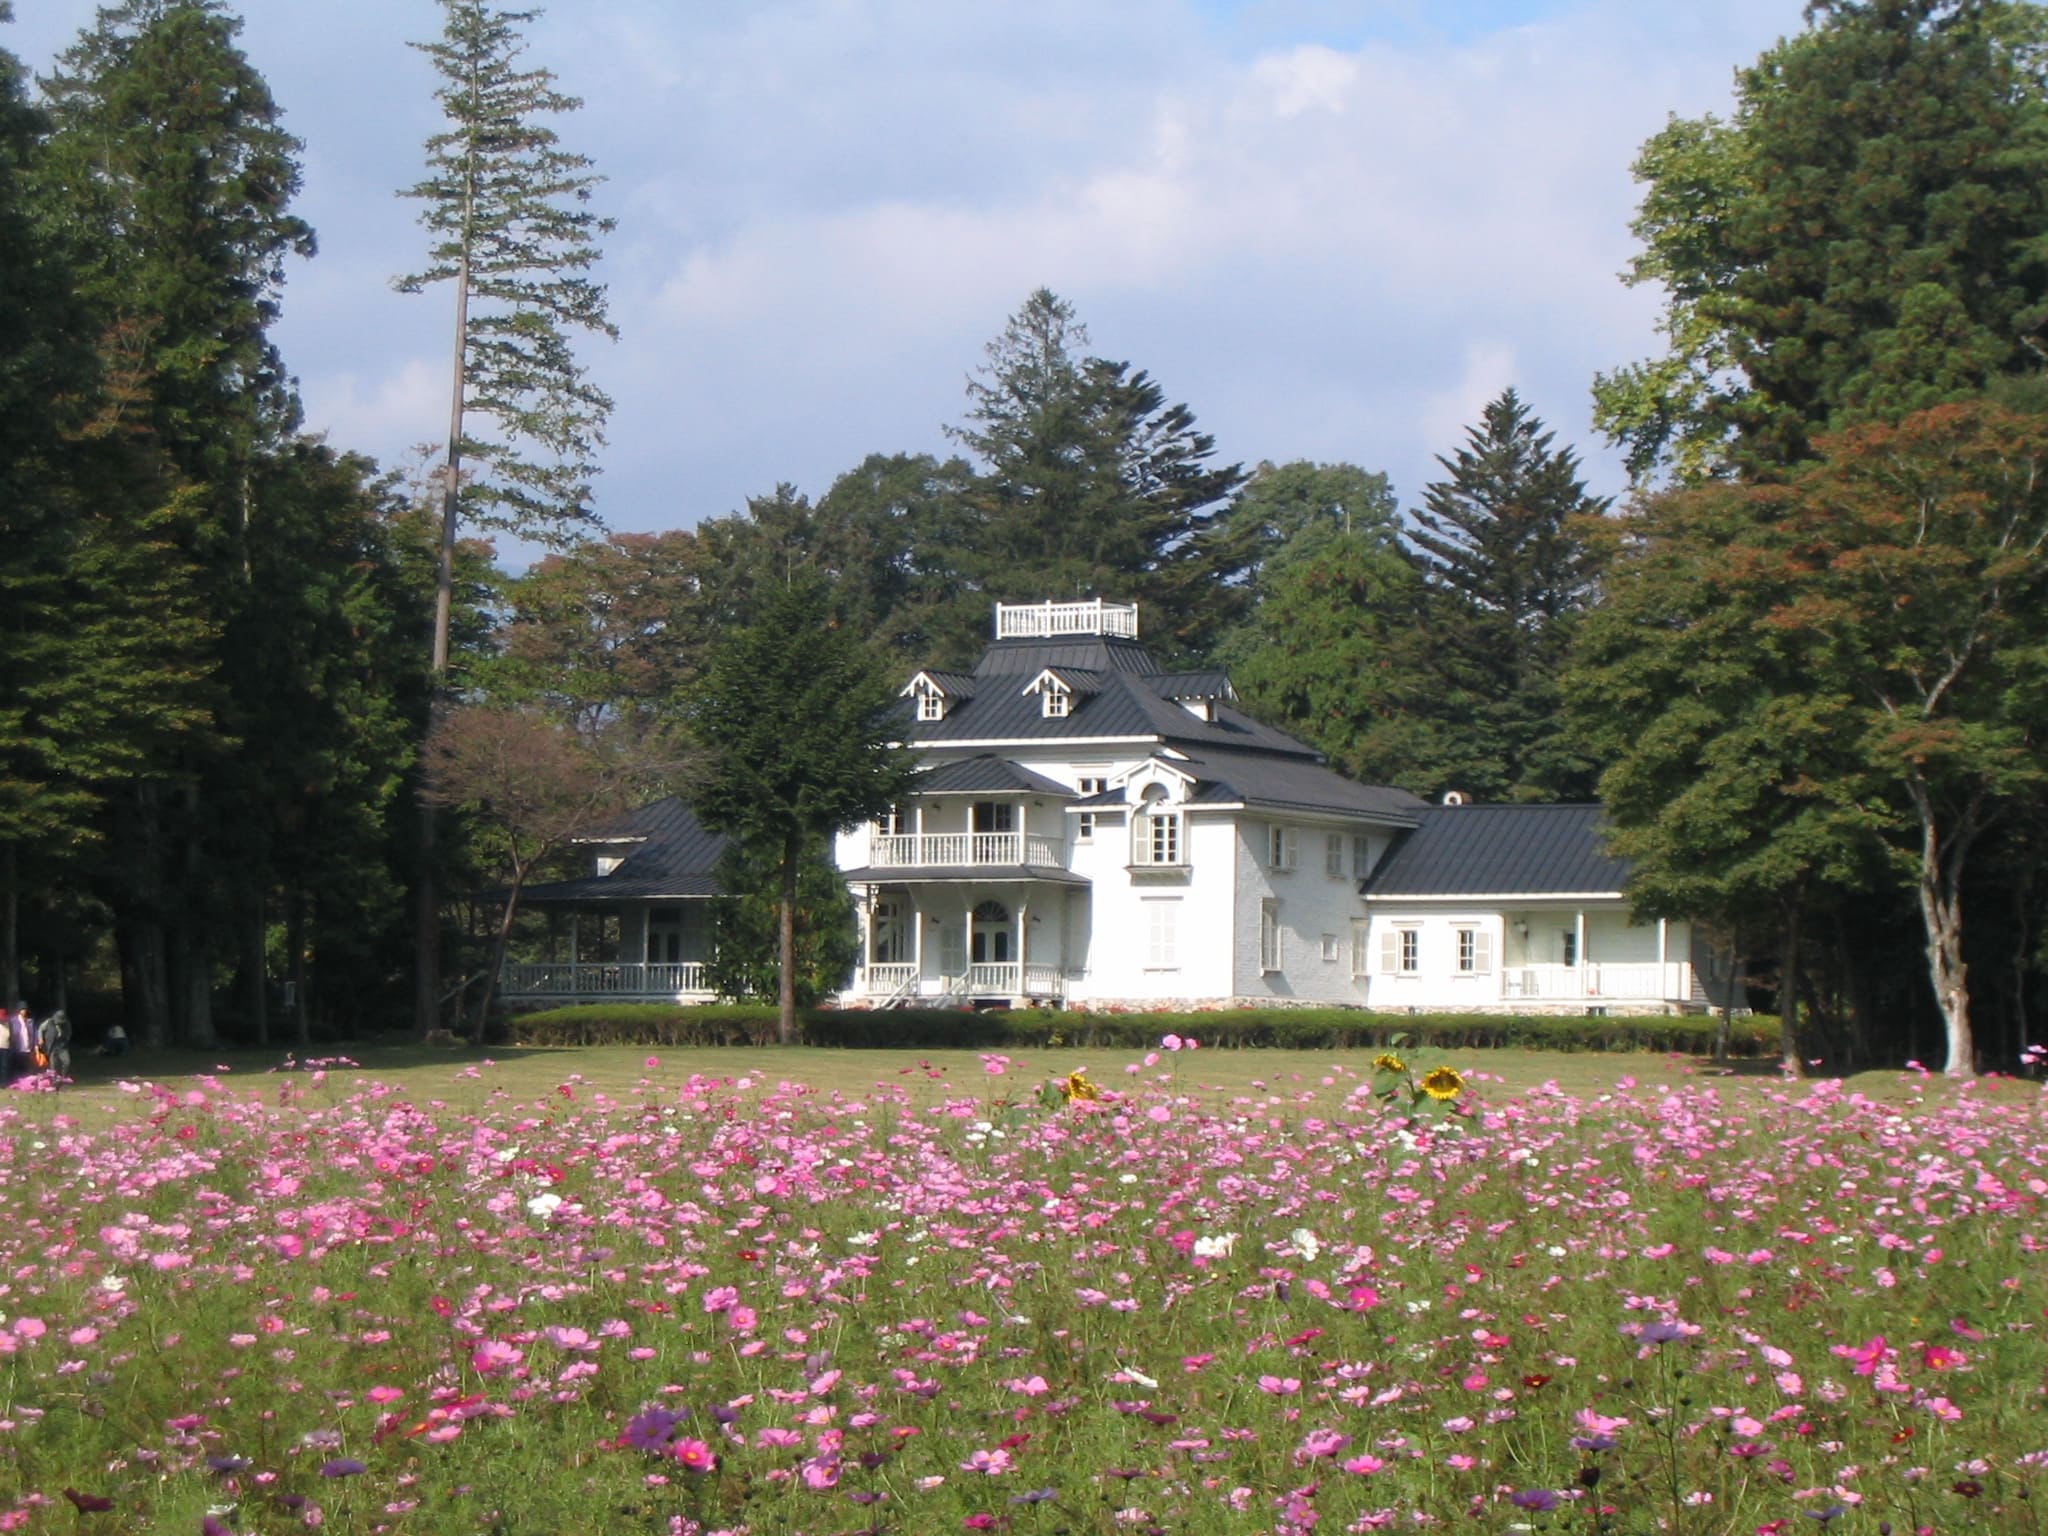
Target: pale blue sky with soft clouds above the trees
{"x": 1334, "y": 228}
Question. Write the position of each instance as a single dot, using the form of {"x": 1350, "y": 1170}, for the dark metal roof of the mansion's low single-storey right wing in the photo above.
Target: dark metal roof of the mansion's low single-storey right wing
{"x": 1496, "y": 851}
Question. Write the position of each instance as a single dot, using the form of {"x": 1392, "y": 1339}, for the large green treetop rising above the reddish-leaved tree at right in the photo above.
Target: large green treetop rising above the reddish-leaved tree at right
{"x": 1863, "y": 239}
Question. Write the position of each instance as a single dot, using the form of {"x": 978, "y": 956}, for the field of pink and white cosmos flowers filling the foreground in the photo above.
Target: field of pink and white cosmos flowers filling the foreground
{"x": 722, "y": 1306}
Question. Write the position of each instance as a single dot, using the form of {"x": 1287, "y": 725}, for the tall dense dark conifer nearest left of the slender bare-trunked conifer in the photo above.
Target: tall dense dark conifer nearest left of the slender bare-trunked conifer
{"x": 171, "y": 177}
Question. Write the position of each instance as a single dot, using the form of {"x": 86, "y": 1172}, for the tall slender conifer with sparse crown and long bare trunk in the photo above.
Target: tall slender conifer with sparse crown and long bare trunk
{"x": 515, "y": 237}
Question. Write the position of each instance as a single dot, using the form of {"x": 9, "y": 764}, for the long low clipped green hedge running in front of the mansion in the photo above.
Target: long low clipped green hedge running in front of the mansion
{"x": 1295, "y": 1029}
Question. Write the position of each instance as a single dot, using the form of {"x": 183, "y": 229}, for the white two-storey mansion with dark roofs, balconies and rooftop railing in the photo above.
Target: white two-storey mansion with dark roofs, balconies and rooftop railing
{"x": 1093, "y": 833}
